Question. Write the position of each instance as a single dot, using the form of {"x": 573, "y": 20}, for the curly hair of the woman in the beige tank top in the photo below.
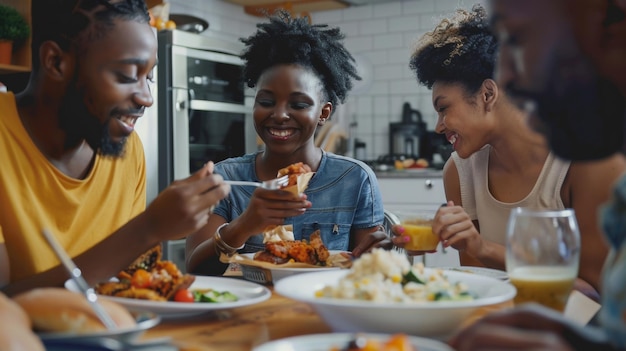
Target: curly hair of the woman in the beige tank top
{"x": 462, "y": 49}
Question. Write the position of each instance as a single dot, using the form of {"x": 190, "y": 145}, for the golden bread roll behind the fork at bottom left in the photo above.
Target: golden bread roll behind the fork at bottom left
{"x": 62, "y": 310}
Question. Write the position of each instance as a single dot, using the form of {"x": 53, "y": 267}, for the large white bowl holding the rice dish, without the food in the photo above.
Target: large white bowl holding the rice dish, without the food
{"x": 436, "y": 319}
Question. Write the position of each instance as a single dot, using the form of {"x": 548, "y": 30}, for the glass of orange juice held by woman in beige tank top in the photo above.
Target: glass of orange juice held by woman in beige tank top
{"x": 418, "y": 226}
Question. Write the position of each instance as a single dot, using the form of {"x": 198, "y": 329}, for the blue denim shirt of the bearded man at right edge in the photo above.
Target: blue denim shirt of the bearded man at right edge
{"x": 613, "y": 312}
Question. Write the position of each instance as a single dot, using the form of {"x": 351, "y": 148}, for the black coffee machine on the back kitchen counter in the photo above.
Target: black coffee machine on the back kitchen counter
{"x": 405, "y": 136}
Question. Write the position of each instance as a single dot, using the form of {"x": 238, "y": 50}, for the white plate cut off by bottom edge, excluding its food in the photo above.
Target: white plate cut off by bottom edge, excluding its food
{"x": 324, "y": 342}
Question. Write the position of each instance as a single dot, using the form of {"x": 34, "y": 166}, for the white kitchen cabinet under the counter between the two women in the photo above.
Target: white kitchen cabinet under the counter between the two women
{"x": 422, "y": 190}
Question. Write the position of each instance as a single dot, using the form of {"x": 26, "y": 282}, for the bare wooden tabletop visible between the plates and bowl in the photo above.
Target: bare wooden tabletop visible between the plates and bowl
{"x": 243, "y": 328}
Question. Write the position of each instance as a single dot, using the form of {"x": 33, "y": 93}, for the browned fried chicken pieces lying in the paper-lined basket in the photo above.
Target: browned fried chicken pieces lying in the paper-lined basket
{"x": 313, "y": 252}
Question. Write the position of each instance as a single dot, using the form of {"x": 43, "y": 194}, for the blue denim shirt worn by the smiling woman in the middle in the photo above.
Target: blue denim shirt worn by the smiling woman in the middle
{"x": 343, "y": 192}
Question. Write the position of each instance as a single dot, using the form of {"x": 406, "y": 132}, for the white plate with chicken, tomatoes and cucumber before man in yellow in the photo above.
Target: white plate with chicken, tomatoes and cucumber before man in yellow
{"x": 150, "y": 284}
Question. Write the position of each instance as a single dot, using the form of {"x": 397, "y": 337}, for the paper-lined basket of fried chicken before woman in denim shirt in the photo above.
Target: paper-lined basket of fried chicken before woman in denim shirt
{"x": 283, "y": 256}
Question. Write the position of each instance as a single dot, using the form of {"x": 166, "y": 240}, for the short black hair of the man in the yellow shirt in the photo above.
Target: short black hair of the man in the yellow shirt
{"x": 74, "y": 21}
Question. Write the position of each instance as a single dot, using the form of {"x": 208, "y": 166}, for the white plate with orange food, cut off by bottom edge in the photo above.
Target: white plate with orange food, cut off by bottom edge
{"x": 354, "y": 342}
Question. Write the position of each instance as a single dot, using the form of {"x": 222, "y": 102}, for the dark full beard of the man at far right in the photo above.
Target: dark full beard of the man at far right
{"x": 582, "y": 116}
